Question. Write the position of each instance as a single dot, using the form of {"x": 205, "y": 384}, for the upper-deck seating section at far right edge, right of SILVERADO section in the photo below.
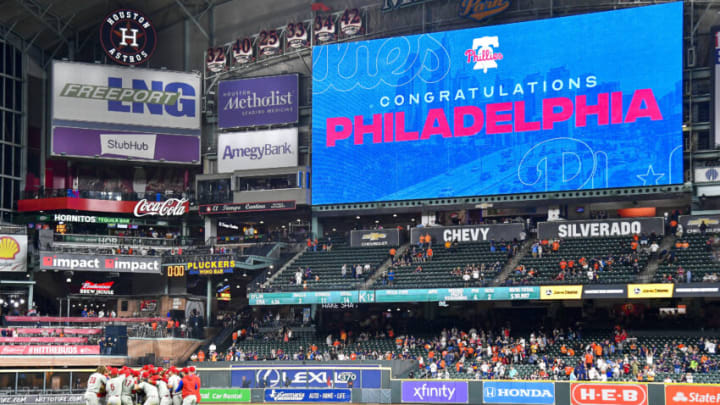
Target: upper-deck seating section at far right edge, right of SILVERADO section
{"x": 697, "y": 258}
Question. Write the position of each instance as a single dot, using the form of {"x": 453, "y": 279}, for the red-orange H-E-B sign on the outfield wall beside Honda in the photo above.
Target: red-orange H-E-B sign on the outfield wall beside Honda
{"x": 608, "y": 394}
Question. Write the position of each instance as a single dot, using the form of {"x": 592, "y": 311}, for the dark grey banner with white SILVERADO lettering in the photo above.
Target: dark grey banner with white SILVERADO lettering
{"x": 601, "y": 228}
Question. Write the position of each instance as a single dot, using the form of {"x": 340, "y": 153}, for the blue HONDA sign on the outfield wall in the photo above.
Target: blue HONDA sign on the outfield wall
{"x": 526, "y": 393}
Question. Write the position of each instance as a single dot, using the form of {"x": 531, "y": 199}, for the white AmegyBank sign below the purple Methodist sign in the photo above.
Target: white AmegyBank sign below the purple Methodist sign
{"x": 257, "y": 150}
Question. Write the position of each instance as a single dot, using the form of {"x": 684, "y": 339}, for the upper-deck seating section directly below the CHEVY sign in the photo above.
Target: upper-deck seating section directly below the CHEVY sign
{"x": 438, "y": 272}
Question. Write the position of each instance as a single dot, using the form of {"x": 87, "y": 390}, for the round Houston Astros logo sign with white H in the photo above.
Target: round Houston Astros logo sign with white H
{"x": 128, "y": 37}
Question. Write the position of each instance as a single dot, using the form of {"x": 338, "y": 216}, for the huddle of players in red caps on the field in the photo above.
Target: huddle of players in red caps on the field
{"x": 147, "y": 386}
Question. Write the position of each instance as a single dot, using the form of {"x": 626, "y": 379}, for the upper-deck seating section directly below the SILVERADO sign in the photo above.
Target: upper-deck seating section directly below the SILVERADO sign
{"x": 615, "y": 250}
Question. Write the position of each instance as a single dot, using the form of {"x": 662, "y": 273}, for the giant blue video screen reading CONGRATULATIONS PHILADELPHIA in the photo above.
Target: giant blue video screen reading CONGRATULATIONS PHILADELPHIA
{"x": 582, "y": 102}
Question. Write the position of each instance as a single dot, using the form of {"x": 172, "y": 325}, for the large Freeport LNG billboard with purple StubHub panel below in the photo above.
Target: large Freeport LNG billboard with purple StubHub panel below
{"x": 112, "y": 112}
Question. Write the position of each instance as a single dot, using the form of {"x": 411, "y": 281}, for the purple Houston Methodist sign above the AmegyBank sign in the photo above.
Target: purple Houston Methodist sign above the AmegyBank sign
{"x": 258, "y": 101}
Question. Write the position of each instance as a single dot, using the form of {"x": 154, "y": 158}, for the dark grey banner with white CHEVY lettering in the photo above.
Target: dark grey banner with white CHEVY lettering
{"x": 468, "y": 233}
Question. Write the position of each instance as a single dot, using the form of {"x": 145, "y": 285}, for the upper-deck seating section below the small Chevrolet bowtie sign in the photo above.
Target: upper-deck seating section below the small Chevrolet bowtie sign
{"x": 326, "y": 268}
